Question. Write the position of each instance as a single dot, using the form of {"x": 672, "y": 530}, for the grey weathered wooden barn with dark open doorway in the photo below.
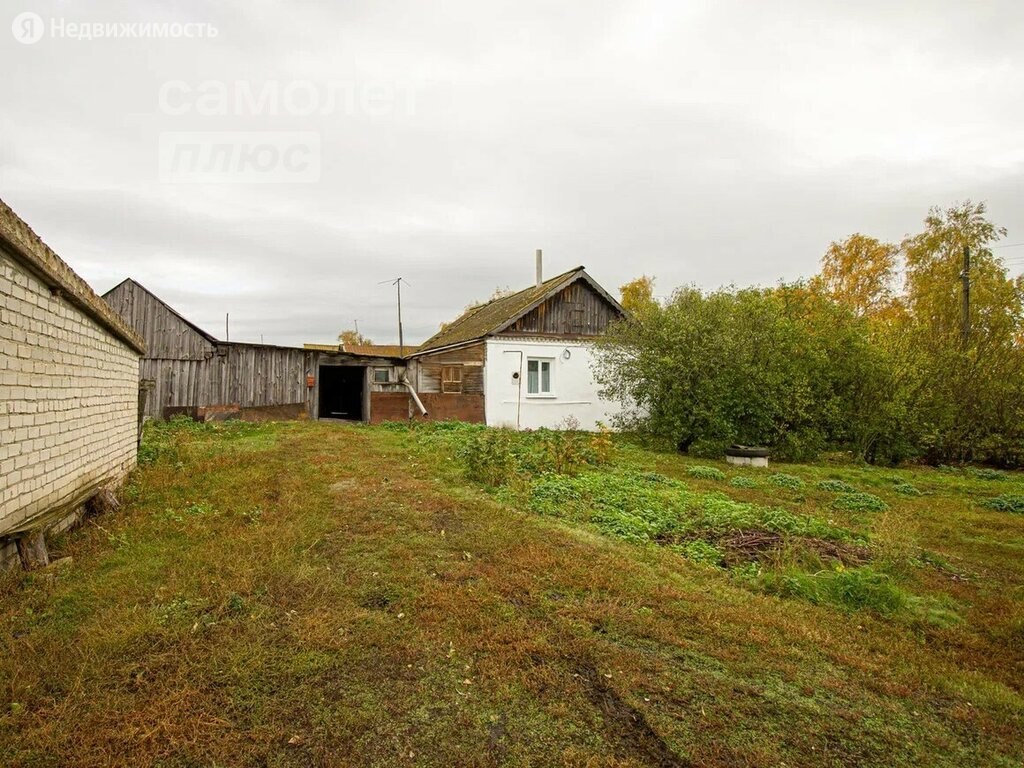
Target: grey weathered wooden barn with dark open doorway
{"x": 194, "y": 373}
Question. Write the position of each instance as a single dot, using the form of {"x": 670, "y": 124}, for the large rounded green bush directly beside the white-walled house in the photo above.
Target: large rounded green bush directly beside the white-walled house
{"x": 774, "y": 367}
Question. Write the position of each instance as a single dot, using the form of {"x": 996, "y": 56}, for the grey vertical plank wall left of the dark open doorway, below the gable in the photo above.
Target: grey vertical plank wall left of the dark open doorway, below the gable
{"x": 246, "y": 375}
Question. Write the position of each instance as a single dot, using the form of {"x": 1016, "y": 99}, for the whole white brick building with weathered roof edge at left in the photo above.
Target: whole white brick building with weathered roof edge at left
{"x": 69, "y": 394}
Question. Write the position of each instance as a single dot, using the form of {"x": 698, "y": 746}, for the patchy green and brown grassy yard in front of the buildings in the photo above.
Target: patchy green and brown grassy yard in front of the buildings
{"x": 312, "y": 594}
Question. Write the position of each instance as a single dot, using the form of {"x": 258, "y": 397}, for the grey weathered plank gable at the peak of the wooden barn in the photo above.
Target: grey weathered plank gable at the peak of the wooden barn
{"x": 167, "y": 335}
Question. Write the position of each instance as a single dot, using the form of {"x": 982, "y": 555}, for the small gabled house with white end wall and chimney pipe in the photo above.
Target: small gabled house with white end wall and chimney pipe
{"x": 522, "y": 361}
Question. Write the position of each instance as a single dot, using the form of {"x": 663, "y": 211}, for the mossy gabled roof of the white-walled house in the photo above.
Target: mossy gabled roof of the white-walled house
{"x": 499, "y": 314}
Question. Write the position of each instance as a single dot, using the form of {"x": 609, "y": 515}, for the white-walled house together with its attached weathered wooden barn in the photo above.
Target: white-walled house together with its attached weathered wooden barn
{"x": 521, "y": 361}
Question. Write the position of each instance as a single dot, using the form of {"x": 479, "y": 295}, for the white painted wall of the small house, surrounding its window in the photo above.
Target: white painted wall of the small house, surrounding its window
{"x": 574, "y": 389}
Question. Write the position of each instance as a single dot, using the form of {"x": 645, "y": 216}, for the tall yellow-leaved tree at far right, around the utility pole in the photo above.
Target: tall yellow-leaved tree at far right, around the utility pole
{"x": 971, "y": 395}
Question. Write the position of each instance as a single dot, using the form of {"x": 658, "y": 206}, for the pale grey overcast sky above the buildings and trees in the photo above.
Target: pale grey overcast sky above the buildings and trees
{"x": 707, "y": 143}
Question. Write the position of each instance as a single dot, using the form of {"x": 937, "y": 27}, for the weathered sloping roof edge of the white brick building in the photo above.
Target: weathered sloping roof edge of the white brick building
{"x": 28, "y": 248}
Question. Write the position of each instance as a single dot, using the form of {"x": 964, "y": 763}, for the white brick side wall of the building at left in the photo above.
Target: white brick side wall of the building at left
{"x": 69, "y": 394}
